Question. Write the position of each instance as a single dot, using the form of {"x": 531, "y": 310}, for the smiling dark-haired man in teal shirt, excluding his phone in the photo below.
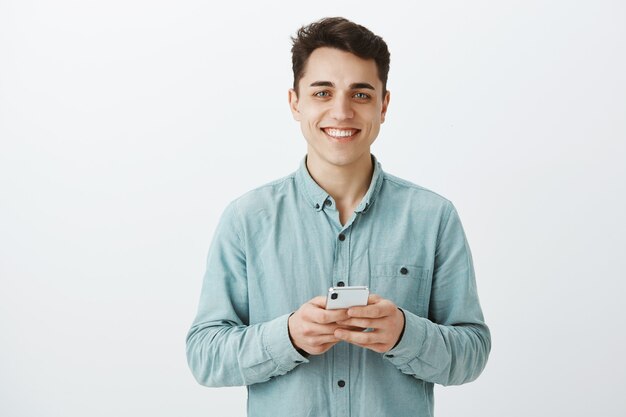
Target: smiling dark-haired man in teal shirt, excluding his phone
{"x": 339, "y": 220}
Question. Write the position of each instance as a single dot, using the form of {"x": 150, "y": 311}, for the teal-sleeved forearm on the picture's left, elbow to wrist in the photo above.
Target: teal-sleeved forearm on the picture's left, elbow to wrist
{"x": 225, "y": 354}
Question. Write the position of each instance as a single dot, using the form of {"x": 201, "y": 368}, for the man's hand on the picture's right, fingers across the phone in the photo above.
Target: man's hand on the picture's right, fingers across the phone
{"x": 381, "y": 315}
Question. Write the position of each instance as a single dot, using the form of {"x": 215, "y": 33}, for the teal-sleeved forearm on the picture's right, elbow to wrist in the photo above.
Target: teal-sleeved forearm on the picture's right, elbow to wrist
{"x": 442, "y": 354}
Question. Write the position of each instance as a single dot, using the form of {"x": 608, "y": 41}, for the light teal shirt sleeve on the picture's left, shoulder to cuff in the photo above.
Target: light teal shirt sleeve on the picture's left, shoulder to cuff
{"x": 222, "y": 348}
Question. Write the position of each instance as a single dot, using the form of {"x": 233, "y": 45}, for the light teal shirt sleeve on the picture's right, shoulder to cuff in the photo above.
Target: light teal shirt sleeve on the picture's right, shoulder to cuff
{"x": 452, "y": 345}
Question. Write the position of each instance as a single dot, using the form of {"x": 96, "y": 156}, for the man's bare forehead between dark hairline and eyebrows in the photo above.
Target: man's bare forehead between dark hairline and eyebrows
{"x": 340, "y": 67}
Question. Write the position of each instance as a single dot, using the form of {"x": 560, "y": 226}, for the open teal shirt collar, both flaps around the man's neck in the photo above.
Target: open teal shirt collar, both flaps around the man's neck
{"x": 318, "y": 197}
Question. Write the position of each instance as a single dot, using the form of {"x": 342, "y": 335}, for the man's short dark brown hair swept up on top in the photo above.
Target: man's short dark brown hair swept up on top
{"x": 340, "y": 33}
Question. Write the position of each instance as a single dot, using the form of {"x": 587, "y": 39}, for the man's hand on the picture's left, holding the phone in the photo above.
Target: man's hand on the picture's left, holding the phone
{"x": 312, "y": 327}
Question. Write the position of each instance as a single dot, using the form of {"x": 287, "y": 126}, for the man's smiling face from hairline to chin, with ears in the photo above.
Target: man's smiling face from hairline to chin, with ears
{"x": 340, "y": 107}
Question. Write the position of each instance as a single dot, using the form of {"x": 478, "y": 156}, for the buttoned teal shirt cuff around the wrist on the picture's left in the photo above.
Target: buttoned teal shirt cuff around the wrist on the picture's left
{"x": 278, "y": 345}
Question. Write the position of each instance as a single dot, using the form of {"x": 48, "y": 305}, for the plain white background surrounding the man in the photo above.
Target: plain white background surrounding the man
{"x": 126, "y": 126}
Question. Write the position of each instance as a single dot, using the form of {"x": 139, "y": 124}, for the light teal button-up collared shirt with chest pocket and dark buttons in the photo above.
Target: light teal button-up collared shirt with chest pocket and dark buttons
{"x": 282, "y": 244}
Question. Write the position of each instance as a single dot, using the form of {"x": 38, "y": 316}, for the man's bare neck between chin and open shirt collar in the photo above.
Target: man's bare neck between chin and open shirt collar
{"x": 346, "y": 184}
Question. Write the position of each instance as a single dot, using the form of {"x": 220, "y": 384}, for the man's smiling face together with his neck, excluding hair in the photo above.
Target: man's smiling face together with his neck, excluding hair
{"x": 340, "y": 103}
